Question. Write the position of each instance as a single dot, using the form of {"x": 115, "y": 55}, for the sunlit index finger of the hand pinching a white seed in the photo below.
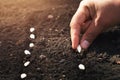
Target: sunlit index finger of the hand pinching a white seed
{"x": 75, "y": 24}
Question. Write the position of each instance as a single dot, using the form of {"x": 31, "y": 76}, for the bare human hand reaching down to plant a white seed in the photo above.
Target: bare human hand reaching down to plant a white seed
{"x": 91, "y": 19}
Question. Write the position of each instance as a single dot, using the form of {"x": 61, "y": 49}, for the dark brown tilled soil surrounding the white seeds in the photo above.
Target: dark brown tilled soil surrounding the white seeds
{"x": 52, "y": 57}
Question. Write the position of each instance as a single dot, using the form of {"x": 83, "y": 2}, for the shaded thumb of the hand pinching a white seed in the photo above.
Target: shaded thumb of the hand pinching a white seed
{"x": 91, "y": 33}
